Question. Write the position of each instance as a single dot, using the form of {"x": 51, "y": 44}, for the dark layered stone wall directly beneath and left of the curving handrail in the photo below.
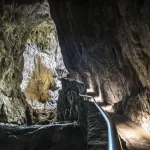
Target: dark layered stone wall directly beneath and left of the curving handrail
{"x": 97, "y": 137}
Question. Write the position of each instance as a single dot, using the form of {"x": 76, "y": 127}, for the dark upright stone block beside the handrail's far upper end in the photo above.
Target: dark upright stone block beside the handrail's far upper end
{"x": 71, "y": 106}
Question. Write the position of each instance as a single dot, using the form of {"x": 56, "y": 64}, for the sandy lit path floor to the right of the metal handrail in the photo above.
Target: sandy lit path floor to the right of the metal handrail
{"x": 136, "y": 138}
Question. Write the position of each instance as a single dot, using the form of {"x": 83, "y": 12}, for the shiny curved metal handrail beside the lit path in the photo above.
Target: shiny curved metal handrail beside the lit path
{"x": 113, "y": 138}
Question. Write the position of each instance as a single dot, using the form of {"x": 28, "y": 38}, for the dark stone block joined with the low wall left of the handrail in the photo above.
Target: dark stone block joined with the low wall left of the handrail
{"x": 72, "y": 107}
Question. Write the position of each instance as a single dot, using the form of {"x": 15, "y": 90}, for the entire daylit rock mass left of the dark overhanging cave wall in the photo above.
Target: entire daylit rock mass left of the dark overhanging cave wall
{"x": 28, "y": 30}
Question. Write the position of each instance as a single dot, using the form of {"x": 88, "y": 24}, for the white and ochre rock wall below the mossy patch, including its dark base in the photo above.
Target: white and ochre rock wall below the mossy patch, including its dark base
{"x": 43, "y": 70}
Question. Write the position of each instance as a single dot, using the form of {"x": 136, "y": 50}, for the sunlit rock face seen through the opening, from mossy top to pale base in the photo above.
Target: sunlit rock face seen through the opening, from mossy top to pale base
{"x": 43, "y": 68}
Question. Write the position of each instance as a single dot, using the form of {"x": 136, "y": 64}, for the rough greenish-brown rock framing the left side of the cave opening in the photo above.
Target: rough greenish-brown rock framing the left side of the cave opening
{"x": 17, "y": 21}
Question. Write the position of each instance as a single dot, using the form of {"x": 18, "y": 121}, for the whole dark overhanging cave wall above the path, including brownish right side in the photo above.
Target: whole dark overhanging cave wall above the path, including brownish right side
{"x": 110, "y": 40}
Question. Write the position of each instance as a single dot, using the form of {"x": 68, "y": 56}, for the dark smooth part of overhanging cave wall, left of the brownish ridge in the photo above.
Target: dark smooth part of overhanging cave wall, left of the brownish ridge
{"x": 89, "y": 40}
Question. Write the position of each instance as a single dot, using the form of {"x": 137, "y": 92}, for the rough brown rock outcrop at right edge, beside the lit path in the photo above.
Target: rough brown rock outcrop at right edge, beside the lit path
{"x": 137, "y": 109}
